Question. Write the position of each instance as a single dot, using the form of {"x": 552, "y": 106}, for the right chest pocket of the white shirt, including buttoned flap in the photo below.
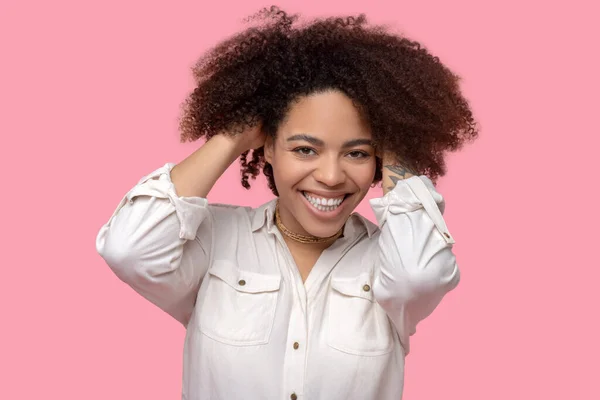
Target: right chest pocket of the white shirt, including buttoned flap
{"x": 357, "y": 324}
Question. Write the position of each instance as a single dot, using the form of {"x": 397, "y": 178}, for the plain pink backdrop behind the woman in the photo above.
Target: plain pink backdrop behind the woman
{"x": 90, "y": 95}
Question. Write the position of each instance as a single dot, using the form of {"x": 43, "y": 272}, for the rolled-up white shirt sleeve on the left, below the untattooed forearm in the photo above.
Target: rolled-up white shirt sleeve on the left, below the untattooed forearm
{"x": 159, "y": 243}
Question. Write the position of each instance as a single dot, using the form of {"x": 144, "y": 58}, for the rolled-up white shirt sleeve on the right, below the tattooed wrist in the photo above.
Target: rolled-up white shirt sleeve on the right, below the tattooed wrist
{"x": 416, "y": 266}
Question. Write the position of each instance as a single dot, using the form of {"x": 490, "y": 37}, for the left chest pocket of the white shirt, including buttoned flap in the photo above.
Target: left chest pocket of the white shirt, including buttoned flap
{"x": 238, "y": 307}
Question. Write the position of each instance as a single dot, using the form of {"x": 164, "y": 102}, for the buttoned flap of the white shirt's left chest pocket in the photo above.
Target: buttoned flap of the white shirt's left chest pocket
{"x": 244, "y": 281}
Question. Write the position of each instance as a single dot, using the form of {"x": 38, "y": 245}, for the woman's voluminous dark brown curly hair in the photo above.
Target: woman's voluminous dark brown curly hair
{"x": 411, "y": 101}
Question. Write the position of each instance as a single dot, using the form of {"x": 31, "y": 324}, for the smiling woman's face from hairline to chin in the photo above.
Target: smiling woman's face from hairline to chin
{"x": 323, "y": 163}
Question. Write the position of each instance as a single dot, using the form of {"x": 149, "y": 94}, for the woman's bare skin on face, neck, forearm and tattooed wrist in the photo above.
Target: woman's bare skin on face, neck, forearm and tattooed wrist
{"x": 323, "y": 146}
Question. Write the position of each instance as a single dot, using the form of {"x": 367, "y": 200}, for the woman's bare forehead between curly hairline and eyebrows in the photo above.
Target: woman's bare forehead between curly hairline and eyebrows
{"x": 330, "y": 116}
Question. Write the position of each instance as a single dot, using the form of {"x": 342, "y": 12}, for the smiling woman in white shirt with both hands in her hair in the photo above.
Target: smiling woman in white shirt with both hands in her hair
{"x": 301, "y": 297}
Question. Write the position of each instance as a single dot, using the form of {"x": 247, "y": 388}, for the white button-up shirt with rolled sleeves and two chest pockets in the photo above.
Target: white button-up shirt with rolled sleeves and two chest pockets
{"x": 254, "y": 329}
